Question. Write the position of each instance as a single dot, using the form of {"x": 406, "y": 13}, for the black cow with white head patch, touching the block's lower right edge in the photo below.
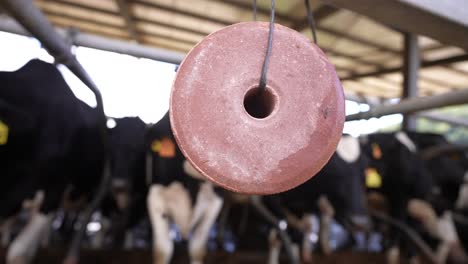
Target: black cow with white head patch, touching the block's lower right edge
{"x": 337, "y": 191}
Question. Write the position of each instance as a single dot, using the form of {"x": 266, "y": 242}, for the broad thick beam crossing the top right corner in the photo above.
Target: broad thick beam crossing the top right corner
{"x": 446, "y": 21}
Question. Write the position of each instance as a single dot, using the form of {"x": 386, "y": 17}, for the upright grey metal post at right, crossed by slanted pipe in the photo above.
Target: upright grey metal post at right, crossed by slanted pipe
{"x": 411, "y": 64}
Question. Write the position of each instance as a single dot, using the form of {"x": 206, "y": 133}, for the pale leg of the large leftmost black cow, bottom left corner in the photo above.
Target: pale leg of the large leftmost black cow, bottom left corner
{"x": 24, "y": 247}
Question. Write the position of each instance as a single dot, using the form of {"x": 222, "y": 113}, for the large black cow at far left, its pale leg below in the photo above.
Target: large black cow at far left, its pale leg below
{"x": 53, "y": 141}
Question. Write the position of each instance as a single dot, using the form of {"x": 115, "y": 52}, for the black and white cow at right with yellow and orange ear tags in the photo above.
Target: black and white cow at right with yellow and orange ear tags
{"x": 413, "y": 189}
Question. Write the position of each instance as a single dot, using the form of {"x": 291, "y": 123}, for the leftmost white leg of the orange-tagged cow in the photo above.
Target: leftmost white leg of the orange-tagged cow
{"x": 162, "y": 243}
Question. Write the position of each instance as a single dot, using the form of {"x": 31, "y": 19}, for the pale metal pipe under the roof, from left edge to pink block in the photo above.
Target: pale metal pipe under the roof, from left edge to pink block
{"x": 97, "y": 42}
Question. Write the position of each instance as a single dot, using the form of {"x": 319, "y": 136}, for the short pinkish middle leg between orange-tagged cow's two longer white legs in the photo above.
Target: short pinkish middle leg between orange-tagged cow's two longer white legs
{"x": 179, "y": 206}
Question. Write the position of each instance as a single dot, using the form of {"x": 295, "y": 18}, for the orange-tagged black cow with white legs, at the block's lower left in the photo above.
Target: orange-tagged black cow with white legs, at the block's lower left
{"x": 179, "y": 195}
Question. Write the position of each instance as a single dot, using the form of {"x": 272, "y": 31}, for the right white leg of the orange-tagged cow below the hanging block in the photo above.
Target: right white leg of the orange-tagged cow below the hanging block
{"x": 211, "y": 205}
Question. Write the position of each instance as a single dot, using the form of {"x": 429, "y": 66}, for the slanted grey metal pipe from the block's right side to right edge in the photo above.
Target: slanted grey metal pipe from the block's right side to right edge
{"x": 414, "y": 105}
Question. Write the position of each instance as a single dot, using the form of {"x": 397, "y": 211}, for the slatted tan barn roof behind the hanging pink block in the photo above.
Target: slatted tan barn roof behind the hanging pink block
{"x": 366, "y": 54}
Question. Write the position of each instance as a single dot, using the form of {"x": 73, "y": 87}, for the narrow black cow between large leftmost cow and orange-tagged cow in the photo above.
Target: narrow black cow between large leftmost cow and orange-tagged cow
{"x": 126, "y": 203}
